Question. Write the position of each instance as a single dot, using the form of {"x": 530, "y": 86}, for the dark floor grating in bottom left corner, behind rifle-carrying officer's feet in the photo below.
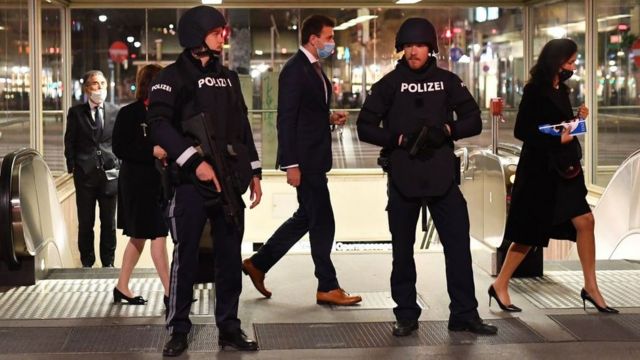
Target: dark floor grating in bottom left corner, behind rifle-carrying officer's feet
{"x": 100, "y": 339}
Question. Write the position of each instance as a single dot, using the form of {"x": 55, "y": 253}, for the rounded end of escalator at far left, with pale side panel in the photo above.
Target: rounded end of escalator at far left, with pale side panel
{"x": 33, "y": 236}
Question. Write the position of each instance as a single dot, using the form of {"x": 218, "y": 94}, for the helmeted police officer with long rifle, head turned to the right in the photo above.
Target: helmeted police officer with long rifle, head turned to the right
{"x": 197, "y": 84}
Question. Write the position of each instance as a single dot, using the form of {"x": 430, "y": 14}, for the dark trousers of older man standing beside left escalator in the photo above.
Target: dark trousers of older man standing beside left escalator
{"x": 90, "y": 188}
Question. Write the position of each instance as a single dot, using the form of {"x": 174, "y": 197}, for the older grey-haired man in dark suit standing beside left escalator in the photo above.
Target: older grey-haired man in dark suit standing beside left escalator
{"x": 87, "y": 143}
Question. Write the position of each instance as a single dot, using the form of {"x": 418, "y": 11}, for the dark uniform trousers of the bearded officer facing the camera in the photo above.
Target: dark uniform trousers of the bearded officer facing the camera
{"x": 451, "y": 219}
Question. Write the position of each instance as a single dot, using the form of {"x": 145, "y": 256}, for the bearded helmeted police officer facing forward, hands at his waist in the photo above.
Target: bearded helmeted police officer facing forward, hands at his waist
{"x": 415, "y": 103}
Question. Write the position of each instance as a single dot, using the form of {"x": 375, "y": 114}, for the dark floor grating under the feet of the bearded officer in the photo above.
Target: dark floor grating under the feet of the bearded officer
{"x": 378, "y": 334}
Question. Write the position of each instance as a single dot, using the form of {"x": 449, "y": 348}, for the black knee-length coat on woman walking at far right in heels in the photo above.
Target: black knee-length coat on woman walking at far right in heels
{"x": 542, "y": 202}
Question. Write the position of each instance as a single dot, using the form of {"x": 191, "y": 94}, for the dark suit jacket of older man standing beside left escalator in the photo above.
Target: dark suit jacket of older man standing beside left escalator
{"x": 84, "y": 145}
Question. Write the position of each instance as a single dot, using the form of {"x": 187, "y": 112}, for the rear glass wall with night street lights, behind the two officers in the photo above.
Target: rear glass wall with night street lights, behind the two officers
{"x": 484, "y": 48}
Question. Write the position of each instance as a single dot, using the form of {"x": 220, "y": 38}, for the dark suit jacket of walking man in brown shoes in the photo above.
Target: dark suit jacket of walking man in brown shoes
{"x": 304, "y": 135}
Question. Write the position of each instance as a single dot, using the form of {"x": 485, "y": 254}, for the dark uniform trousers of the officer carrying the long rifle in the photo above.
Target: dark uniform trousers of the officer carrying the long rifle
{"x": 187, "y": 217}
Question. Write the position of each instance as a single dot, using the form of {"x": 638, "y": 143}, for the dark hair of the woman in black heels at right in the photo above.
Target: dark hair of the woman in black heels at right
{"x": 554, "y": 53}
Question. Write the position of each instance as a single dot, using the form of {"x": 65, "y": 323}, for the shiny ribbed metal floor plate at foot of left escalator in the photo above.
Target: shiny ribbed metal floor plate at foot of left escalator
{"x": 91, "y": 298}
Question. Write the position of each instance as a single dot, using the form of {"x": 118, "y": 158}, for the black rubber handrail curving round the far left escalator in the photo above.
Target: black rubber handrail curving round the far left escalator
{"x": 7, "y": 244}
